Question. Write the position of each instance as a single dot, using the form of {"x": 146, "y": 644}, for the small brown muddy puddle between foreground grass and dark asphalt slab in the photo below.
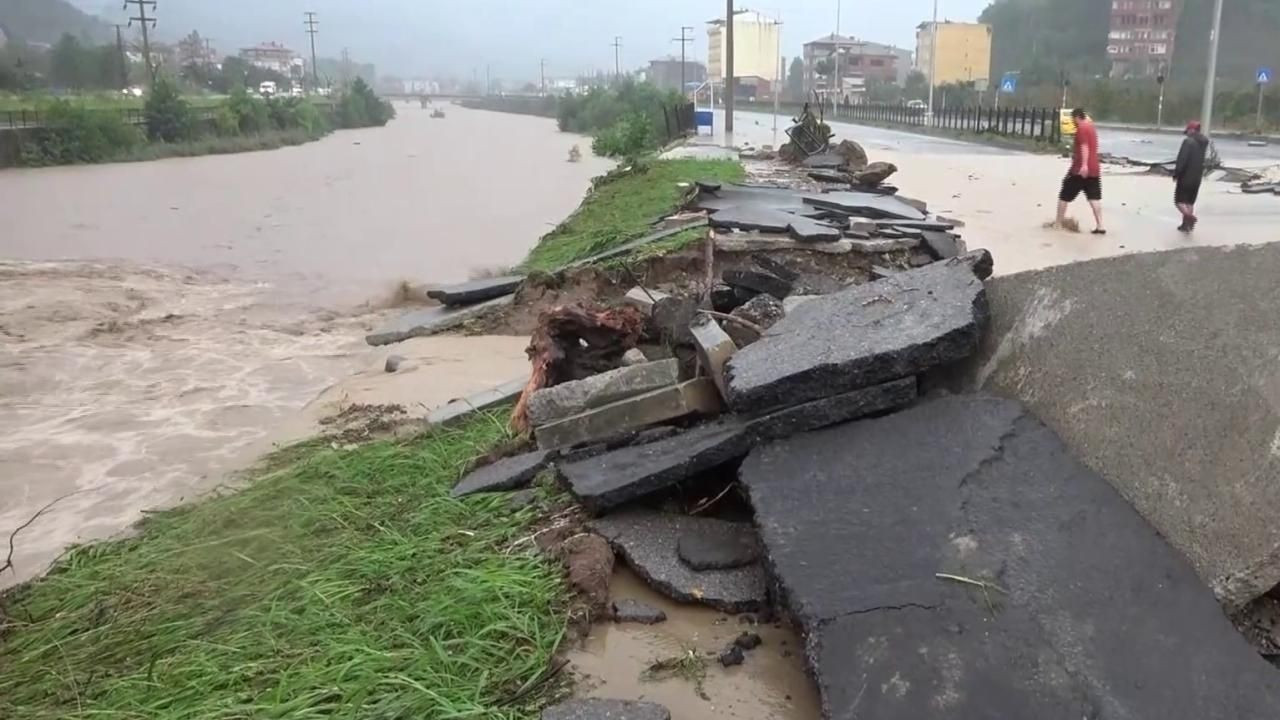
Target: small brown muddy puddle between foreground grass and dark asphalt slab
{"x": 772, "y": 683}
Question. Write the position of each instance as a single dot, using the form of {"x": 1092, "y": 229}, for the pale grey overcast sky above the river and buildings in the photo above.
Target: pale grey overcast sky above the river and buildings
{"x": 429, "y": 38}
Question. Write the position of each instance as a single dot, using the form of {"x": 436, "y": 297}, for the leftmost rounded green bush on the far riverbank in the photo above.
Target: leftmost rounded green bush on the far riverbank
{"x": 74, "y": 134}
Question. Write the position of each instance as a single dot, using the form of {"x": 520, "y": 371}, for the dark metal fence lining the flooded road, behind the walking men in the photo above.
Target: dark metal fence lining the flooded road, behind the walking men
{"x": 1037, "y": 124}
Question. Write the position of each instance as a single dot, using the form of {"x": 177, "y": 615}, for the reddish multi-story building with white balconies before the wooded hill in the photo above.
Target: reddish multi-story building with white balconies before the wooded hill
{"x": 1141, "y": 42}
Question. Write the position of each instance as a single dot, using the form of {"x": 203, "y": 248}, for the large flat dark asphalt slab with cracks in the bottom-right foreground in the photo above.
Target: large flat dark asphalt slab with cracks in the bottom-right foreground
{"x": 956, "y": 562}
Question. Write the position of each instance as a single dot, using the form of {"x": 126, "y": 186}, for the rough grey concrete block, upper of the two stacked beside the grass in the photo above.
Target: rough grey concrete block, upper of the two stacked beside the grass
{"x": 560, "y": 402}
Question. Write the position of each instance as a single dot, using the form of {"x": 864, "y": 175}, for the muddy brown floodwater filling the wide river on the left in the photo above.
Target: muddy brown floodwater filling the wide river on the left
{"x": 164, "y": 323}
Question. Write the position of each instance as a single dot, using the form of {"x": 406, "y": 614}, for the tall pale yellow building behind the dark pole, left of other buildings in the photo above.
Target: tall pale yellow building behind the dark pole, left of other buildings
{"x": 757, "y": 54}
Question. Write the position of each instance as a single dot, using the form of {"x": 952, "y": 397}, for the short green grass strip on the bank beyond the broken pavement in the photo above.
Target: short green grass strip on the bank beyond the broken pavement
{"x": 624, "y": 209}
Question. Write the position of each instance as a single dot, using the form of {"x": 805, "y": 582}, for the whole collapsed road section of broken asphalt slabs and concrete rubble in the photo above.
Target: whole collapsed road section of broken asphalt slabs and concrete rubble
{"x": 820, "y": 440}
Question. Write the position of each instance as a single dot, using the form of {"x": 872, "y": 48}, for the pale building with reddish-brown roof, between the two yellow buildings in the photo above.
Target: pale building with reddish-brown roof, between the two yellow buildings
{"x": 854, "y": 62}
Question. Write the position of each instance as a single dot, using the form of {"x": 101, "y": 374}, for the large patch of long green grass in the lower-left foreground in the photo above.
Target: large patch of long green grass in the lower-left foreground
{"x": 342, "y": 584}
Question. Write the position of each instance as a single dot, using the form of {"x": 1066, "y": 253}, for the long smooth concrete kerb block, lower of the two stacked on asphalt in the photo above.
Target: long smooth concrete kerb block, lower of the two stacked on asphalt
{"x": 698, "y": 397}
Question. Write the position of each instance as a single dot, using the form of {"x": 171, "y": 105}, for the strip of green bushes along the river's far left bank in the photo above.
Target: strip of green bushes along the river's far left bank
{"x": 74, "y": 134}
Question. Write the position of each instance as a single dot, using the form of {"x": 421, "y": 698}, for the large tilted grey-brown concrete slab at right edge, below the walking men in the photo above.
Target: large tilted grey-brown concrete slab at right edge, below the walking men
{"x": 1162, "y": 371}
